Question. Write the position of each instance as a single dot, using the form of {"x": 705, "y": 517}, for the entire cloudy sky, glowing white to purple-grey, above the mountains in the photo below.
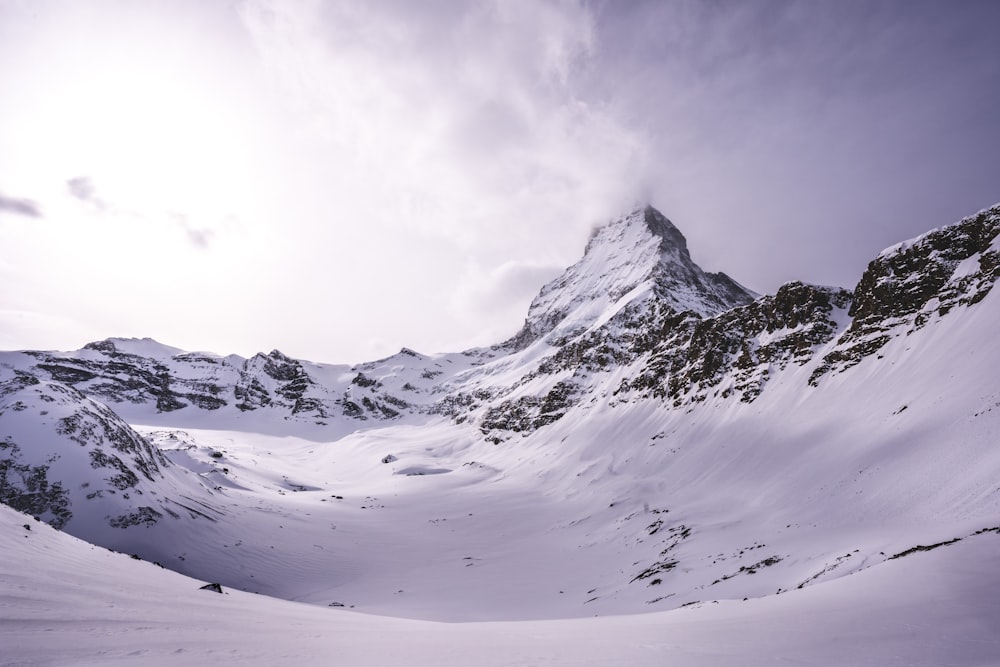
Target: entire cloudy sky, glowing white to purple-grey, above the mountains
{"x": 340, "y": 179}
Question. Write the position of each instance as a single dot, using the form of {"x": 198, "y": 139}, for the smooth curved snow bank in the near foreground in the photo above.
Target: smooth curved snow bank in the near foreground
{"x": 65, "y": 601}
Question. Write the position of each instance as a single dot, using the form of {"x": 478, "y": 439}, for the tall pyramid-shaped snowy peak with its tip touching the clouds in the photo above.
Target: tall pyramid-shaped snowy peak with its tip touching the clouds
{"x": 638, "y": 257}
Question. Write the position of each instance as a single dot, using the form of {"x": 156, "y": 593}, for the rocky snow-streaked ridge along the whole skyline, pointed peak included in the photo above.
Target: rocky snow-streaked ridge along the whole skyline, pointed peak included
{"x": 577, "y": 326}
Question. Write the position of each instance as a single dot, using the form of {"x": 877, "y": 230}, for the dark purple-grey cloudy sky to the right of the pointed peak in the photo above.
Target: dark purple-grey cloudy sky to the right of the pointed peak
{"x": 811, "y": 133}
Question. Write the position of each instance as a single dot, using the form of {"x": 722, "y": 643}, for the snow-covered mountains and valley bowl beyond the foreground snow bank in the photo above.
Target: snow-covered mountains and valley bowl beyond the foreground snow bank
{"x": 654, "y": 436}
